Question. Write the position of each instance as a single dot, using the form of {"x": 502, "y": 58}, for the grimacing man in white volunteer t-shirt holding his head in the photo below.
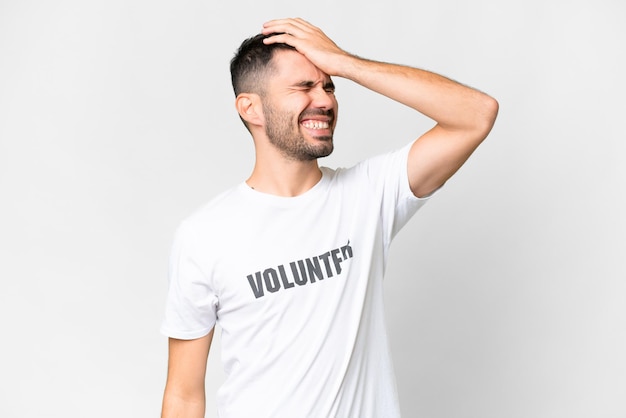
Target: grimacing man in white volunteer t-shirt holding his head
{"x": 290, "y": 262}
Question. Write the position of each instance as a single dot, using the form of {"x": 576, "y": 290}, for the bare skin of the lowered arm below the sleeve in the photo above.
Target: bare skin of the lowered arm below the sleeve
{"x": 184, "y": 395}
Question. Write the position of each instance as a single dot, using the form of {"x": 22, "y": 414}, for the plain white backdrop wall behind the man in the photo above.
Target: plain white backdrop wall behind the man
{"x": 505, "y": 295}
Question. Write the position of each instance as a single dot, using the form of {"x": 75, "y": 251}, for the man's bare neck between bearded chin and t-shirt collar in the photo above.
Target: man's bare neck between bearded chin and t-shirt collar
{"x": 283, "y": 177}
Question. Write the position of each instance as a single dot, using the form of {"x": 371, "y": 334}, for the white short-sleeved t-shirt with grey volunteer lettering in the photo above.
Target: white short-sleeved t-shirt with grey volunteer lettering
{"x": 296, "y": 286}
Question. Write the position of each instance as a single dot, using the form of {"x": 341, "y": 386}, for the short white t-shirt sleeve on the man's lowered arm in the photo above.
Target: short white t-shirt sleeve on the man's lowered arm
{"x": 191, "y": 304}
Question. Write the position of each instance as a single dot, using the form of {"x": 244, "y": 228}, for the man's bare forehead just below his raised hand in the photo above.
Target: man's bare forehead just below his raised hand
{"x": 291, "y": 67}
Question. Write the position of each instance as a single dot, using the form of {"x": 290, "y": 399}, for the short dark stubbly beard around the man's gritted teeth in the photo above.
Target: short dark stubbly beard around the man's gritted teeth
{"x": 289, "y": 139}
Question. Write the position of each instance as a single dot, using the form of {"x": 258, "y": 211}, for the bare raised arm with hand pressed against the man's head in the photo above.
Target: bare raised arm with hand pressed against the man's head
{"x": 464, "y": 116}
